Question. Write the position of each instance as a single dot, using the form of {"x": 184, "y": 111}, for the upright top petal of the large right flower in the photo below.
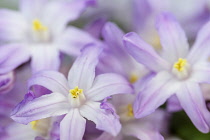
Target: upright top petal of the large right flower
{"x": 172, "y": 37}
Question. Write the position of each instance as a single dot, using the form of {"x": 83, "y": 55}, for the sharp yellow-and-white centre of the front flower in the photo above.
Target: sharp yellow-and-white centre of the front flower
{"x": 76, "y": 97}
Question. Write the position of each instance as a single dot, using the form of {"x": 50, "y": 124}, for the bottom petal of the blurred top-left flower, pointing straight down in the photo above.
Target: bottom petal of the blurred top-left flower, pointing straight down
{"x": 45, "y": 58}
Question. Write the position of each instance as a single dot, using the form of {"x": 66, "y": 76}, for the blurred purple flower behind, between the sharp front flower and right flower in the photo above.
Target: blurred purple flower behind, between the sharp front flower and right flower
{"x": 123, "y": 63}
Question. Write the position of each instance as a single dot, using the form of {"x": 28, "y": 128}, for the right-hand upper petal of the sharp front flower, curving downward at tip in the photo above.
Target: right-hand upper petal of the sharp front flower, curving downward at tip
{"x": 108, "y": 84}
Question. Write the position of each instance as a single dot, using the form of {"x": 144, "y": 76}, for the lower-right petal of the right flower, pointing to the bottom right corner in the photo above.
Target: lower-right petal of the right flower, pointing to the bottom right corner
{"x": 192, "y": 101}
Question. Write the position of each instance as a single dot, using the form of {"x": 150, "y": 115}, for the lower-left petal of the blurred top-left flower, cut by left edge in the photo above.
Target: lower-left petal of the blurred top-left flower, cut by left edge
{"x": 12, "y": 56}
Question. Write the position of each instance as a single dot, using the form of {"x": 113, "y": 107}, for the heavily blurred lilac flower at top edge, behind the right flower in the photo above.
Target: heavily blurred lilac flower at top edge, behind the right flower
{"x": 192, "y": 16}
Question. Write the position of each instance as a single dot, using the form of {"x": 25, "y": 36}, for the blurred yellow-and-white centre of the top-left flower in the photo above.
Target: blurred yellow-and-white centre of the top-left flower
{"x": 40, "y": 32}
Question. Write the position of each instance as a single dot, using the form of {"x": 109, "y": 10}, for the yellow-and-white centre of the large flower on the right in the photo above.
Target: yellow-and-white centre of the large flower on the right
{"x": 181, "y": 68}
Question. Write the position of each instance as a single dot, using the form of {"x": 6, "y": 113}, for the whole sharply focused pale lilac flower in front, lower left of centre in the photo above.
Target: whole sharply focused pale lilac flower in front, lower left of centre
{"x": 77, "y": 98}
